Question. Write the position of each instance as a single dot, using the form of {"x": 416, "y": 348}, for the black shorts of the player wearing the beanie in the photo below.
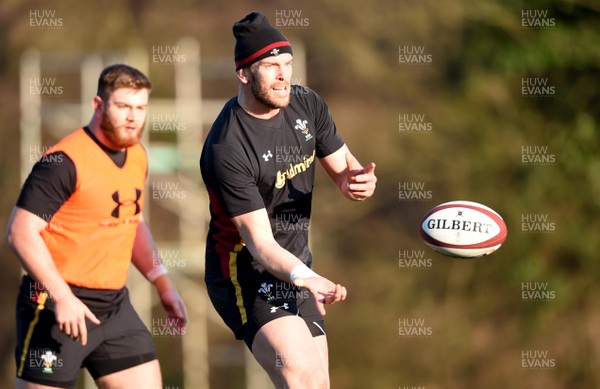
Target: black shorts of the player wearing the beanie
{"x": 246, "y": 304}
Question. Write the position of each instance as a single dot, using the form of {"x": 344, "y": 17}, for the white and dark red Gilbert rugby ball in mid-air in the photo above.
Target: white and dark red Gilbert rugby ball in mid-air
{"x": 463, "y": 229}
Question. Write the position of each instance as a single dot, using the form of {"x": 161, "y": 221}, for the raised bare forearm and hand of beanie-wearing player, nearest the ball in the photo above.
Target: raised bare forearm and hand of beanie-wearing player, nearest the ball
{"x": 354, "y": 181}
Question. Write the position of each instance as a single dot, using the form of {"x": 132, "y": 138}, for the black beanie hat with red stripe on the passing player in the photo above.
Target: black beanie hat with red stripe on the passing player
{"x": 256, "y": 39}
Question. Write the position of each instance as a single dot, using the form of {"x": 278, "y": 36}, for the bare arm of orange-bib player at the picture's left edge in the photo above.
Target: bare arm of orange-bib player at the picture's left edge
{"x": 23, "y": 235}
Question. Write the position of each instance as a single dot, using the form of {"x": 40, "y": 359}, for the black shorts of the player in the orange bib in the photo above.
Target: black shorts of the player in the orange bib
{"x": 46, "y": 356}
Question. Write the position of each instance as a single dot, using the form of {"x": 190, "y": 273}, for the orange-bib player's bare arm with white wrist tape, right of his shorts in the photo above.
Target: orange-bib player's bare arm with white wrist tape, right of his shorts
{"x": 146, "y": 258}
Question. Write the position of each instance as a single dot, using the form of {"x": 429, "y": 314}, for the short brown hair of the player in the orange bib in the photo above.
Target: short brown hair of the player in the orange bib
{"x": 121, "y": 76}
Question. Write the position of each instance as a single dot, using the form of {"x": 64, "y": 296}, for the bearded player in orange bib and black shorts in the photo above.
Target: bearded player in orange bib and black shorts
{"x": 76, "y": 228}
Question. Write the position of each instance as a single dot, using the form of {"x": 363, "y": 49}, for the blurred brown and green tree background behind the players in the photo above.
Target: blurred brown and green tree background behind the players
{"x": 533, "y": 157}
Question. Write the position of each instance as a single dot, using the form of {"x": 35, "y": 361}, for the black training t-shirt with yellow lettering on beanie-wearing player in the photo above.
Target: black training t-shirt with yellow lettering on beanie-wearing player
{"x": 249, "y": 163}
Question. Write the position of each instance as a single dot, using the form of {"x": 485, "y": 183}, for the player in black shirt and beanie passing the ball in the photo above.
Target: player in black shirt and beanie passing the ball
{"x": 258, "y": 164}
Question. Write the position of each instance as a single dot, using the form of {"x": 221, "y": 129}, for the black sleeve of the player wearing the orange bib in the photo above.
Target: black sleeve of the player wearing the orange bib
{"x": 51, "y": 182}
